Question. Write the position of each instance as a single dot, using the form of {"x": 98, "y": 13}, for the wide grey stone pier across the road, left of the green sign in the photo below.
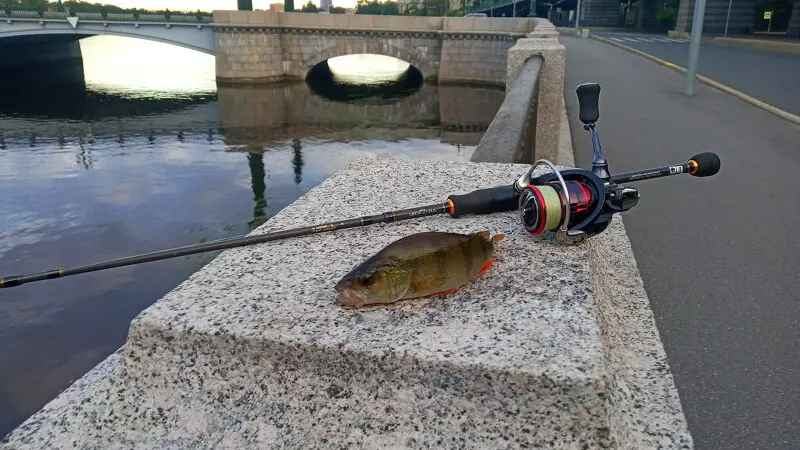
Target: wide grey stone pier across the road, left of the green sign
{"x": 741, "y": 21}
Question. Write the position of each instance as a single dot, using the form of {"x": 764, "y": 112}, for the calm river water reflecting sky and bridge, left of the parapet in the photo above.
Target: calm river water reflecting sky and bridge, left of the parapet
{"x": 146, "y": 153}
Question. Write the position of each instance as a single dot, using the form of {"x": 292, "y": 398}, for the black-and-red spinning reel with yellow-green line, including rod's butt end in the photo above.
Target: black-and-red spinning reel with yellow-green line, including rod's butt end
{"x": 577, "y": 203}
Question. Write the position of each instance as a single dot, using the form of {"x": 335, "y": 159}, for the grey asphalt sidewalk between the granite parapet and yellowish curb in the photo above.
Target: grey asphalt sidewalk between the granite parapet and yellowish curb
{"x": 719, "y": 256}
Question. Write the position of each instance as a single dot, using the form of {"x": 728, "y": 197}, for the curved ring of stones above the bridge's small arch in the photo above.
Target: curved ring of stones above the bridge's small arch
{"x": 375, "y": 47}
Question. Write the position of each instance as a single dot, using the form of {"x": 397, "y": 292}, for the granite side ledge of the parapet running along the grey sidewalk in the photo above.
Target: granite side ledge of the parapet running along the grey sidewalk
{"x": 633, "y": 348}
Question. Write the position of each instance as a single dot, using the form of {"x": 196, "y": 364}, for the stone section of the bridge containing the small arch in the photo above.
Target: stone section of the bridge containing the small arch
{"x": 264, "y": 46}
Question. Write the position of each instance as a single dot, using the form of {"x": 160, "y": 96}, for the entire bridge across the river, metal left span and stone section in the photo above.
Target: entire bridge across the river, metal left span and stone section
{"x": 256, "y": 46}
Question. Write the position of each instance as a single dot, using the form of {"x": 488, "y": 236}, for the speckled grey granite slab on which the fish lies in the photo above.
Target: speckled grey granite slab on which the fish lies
{"x": 253, "y": 351}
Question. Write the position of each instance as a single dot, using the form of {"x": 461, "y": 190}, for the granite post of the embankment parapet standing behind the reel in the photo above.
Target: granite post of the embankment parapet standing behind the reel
{"x": 549, "y": 96}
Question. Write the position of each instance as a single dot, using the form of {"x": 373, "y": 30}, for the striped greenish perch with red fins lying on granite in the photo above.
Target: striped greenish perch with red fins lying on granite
{"x": 419, "y": 265}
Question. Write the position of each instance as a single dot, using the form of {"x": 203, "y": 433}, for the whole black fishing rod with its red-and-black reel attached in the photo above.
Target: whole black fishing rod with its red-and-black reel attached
{"x": 575, "y": 203}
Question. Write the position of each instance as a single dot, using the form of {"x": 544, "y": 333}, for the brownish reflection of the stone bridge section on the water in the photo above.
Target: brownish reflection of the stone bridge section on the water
{"x": 271, "y": 113}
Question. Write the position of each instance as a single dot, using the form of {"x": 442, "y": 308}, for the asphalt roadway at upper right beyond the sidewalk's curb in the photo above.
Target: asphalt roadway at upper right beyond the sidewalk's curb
{"x": 772, "y": 77}
